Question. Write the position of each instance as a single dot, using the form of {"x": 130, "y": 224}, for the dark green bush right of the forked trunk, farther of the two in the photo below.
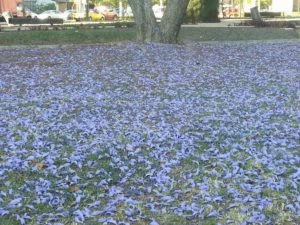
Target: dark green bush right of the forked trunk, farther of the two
{"x": 209, "y": 10}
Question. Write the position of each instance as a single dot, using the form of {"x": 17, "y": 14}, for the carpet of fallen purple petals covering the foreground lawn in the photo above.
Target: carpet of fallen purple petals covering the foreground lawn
{"x": 151, "y": 134}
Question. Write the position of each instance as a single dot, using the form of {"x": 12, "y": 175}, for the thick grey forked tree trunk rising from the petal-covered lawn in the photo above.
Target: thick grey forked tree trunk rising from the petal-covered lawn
{"x": 147, "y": 27}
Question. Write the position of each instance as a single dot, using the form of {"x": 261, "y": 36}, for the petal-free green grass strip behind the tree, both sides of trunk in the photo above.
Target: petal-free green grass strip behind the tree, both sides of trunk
{"x": 106, "y": 35}
